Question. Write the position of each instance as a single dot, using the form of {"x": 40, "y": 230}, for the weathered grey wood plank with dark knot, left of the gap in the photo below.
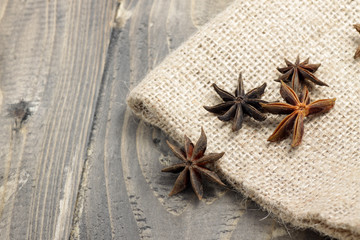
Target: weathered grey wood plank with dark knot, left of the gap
{"x": 53, "y": 55}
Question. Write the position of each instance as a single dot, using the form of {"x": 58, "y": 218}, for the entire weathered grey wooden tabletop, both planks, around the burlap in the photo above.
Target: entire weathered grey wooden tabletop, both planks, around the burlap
{"x": 81, "y": 165}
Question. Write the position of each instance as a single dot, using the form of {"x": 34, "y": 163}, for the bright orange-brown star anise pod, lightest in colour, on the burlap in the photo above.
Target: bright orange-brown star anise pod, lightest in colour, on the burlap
{"x": 298, "y": 108}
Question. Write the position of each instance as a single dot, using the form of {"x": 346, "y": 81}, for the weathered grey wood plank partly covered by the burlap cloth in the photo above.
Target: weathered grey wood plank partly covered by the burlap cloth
{"x": 124, "y": 194}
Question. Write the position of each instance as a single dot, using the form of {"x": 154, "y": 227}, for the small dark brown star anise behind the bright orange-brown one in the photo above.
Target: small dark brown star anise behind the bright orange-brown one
{"x": 297, "y": 72}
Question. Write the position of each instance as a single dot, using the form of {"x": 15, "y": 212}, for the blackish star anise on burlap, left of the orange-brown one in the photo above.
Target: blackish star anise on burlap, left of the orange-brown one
{"x": 235, "y": 106}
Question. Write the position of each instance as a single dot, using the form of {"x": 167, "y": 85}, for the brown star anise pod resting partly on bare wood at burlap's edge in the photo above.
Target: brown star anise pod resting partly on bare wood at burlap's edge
{"x": 193, "y": 165}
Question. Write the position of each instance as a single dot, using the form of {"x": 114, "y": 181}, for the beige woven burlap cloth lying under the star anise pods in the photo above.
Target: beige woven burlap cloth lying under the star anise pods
{"x": 316, "y": 185}
